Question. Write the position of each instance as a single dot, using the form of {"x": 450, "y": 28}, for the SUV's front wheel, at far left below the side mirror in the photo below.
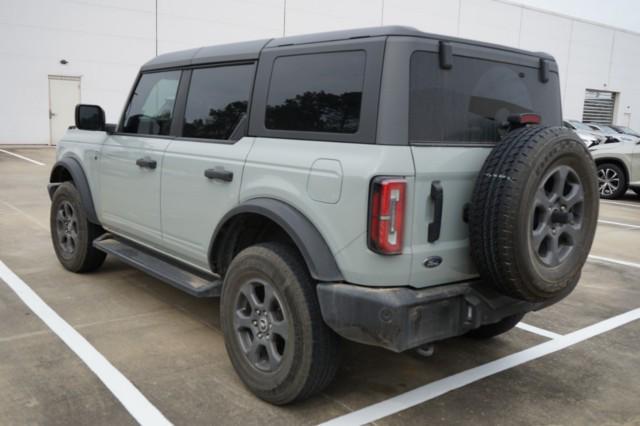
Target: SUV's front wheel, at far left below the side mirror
{"x": 71, "y": 232}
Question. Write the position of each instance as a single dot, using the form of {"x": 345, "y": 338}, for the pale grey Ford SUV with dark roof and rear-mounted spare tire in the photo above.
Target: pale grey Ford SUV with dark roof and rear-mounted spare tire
{"x": 382, "y": 185}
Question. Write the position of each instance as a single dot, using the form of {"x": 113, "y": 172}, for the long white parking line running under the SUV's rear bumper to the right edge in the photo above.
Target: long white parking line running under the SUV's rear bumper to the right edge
{"x": 440, "y": 387}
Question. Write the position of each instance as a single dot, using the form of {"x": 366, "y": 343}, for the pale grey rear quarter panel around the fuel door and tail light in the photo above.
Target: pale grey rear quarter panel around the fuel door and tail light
{"x": 281, "y": 169}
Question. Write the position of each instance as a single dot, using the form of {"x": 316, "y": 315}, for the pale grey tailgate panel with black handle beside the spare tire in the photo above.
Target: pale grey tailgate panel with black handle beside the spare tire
{"x": 454, "y": 170}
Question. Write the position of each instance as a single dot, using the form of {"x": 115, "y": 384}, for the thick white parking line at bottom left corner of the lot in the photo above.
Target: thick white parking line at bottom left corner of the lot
{"x": 133, "y": 400}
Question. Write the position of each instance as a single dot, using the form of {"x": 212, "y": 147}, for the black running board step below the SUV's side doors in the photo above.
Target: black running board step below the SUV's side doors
{"x": 194, "y": 282}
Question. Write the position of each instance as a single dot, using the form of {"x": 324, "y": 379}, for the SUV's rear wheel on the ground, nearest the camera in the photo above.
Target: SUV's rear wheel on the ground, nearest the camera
{"x": 273, "y": 330}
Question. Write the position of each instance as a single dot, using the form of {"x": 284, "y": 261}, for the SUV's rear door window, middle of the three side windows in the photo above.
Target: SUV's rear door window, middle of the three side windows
{"x": 217, "y": 101}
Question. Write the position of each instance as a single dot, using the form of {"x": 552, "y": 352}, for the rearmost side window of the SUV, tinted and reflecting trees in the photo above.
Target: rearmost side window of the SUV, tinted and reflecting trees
{"x": 316, "y": 92}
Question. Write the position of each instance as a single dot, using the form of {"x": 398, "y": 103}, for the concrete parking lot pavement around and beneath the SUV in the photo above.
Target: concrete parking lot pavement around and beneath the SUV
{"x": 569, "y": 364}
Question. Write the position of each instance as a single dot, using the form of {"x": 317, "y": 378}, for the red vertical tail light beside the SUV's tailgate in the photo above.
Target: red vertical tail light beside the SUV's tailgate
{"x": 386, "y": 214}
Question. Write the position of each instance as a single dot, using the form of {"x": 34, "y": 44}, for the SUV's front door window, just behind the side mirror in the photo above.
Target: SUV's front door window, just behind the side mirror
{"x": 150, "y": 109}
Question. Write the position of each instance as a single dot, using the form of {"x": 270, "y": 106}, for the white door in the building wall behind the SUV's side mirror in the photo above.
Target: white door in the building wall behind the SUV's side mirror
{"x": 64, "y": 95}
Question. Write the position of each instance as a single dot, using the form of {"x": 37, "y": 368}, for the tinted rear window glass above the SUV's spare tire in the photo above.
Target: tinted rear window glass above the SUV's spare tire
{"x": 471, "y": 101}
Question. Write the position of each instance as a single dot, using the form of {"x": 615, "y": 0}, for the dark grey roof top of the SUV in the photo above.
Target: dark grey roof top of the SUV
{"x": 250, "y": 50}
